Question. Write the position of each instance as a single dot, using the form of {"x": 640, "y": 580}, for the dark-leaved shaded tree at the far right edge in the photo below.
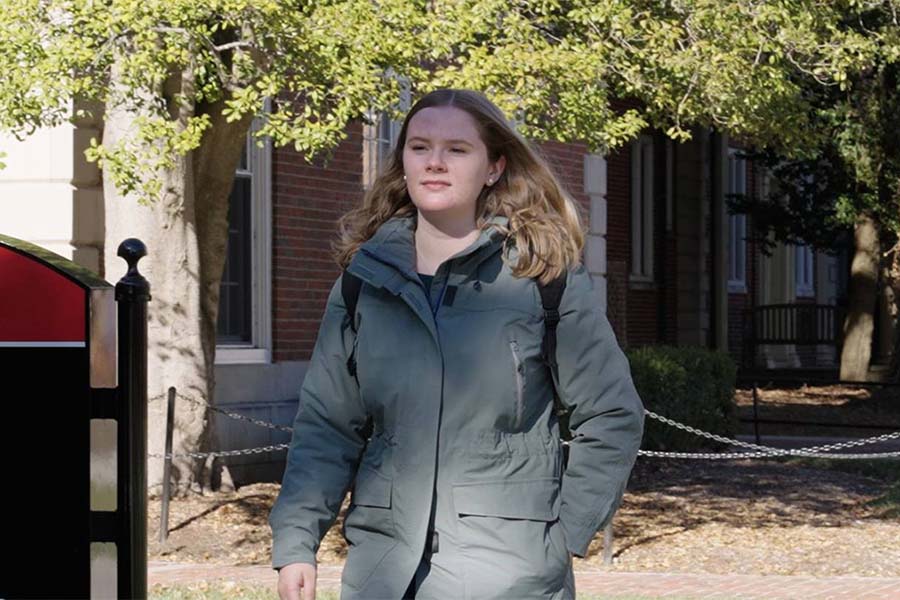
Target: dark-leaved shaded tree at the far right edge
{"x": 848, "y": 181}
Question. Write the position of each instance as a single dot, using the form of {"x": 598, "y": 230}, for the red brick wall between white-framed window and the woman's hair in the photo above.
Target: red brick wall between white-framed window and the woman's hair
{"x": 307, "y": 200}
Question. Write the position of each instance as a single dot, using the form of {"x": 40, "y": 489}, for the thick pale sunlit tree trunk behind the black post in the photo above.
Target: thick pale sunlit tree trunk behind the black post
{"x": 186, "y": 234}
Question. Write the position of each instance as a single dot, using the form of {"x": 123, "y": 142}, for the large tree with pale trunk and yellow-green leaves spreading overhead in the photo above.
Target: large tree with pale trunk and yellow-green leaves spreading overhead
{"x": 179, "y": 81}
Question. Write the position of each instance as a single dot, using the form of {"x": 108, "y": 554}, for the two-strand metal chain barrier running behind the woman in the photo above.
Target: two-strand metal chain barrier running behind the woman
{"x": 754, "y": 450}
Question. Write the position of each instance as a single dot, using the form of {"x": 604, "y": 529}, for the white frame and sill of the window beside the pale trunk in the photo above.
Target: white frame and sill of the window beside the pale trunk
{"x": 259, "y": 349}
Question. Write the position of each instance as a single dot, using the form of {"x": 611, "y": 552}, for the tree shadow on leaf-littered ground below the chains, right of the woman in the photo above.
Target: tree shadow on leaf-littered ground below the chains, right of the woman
{"x": 679, "y": 496}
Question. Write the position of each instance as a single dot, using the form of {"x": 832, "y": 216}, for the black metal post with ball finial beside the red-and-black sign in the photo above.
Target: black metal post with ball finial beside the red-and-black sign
{"x": 132, "y": 295}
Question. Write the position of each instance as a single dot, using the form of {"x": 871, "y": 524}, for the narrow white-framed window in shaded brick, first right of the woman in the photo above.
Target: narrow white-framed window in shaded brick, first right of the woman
{"x": 642, "y": 209}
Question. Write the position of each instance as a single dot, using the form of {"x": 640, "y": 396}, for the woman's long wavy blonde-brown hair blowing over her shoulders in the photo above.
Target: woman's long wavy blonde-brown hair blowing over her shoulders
{"x": 544, "y": 223}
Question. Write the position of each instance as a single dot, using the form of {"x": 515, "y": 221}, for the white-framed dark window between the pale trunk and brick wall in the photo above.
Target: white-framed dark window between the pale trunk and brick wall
{"x": 243, "y": 330}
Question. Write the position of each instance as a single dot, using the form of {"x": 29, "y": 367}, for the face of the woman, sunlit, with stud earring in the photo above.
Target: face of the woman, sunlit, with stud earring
{"x": 446, "y": 163}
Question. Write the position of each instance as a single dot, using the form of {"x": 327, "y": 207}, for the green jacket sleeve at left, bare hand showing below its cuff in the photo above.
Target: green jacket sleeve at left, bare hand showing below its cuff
{"x": 325, "y": 445}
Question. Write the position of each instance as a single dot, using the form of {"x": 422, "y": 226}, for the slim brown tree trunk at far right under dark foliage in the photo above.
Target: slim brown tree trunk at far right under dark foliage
{"x": 859, "y": 323}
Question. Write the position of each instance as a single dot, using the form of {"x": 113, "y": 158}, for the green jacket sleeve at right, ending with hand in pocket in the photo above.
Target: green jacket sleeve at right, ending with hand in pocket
{"x": 606, "y": 416}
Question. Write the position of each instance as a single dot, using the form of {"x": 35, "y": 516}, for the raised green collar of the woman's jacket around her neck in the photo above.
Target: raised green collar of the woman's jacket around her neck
{"x": 394, "y": 244}
